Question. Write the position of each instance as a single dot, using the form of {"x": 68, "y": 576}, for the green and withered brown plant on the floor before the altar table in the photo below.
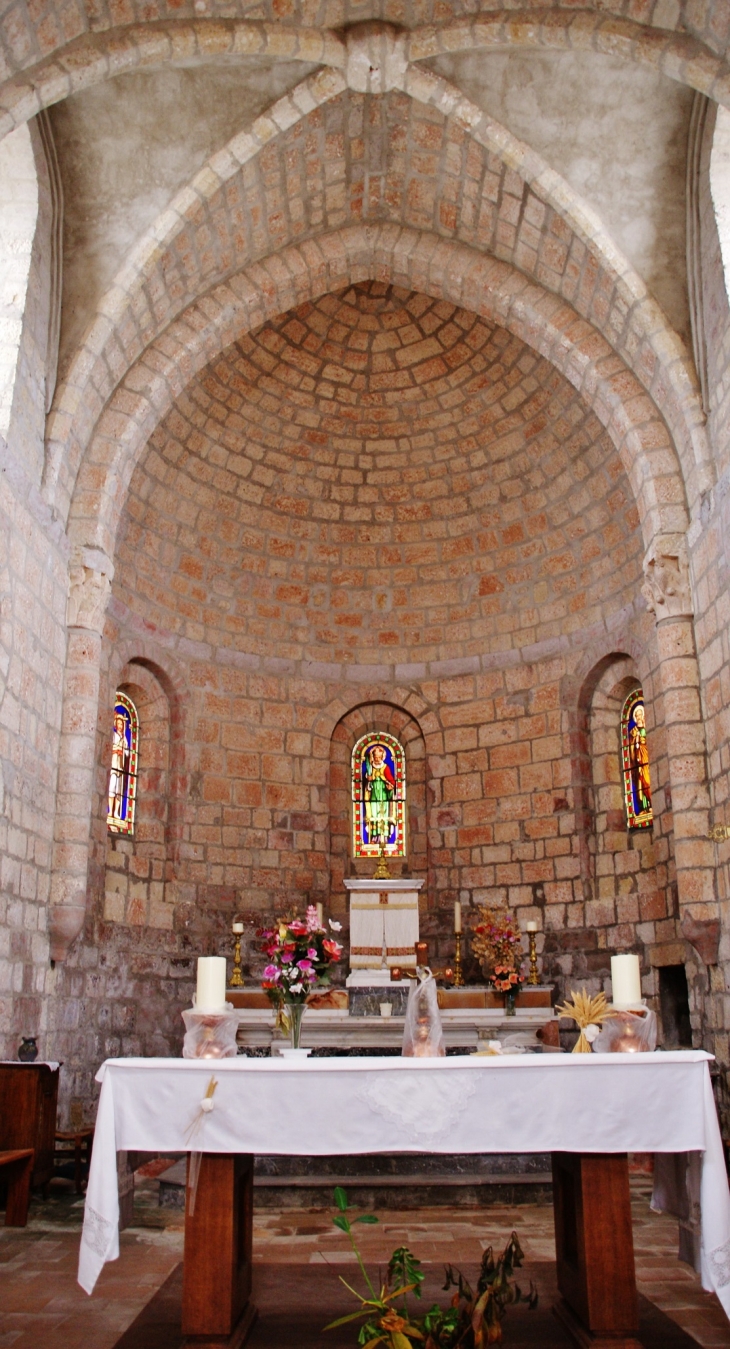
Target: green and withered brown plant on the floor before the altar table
{"x": 473, "y": 1319}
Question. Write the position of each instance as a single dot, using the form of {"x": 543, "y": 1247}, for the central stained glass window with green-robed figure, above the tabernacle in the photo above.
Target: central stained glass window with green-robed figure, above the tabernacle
{"x": 378, "y": 797}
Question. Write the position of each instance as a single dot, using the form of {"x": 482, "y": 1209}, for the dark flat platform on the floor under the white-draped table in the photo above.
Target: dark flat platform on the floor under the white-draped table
{"x": 295, "y": 1302}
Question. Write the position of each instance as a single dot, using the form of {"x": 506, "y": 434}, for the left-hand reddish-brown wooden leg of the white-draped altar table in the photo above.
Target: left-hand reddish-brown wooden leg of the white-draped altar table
{"x": 217, "y": 1274}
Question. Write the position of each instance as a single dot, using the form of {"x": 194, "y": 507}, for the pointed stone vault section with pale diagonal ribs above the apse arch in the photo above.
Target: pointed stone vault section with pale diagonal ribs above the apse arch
{"x": 520, "y": 210}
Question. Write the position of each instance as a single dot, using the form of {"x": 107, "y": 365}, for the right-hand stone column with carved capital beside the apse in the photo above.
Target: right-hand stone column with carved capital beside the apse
{"x": 669, "y": 597}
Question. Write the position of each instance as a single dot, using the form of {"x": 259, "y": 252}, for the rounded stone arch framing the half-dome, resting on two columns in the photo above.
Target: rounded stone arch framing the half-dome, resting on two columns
{"x": 418, "y": 262}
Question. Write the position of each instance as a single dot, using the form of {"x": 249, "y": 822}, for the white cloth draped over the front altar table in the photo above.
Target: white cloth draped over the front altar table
{"x": 601, "y": 1103}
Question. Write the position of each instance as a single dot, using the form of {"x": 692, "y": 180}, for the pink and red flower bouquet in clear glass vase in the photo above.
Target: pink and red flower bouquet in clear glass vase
{"x": 300, "y": 954}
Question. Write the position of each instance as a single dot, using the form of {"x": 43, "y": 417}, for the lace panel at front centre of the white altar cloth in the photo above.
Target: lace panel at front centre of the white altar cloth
{"x": 424, "y": 1112}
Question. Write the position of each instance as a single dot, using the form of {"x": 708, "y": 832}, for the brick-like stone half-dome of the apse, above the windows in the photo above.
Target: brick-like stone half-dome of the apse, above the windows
{"x": 378, "y": 476}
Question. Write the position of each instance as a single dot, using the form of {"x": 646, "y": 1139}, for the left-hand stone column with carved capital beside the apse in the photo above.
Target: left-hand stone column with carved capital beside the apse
{"x": 91, "y": 581}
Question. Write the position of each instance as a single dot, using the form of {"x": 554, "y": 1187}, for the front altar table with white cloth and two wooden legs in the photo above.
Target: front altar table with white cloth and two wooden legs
{"x": 226, "y": 1112}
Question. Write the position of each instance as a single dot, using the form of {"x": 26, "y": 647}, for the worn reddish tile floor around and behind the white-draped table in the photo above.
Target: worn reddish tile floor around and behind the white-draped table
{"x": 41, "y": 1304}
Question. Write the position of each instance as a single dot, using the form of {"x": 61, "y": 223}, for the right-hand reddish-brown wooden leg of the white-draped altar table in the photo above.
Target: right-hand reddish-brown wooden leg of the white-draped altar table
{"x": 596, "y": 1250}
